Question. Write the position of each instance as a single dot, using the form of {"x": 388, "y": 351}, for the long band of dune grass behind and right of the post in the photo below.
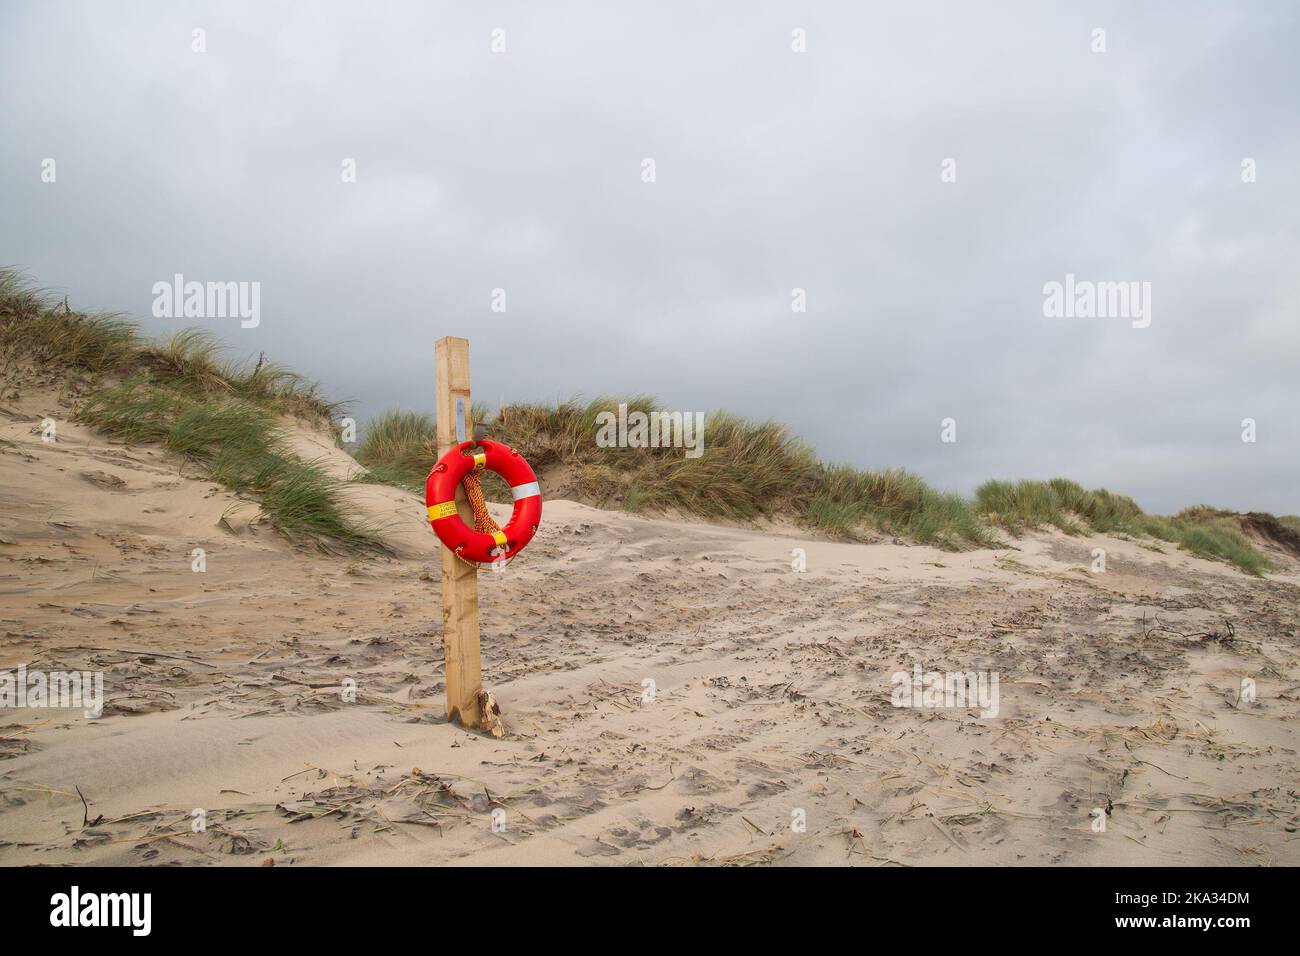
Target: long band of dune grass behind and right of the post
{"x": 753, "y": 470}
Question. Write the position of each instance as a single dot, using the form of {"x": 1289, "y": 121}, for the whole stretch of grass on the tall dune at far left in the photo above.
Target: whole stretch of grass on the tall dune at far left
{"x": 183, "y": 393}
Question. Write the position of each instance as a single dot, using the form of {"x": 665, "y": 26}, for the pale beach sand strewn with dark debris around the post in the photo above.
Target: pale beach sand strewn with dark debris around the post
{"x": 772, "y": 738}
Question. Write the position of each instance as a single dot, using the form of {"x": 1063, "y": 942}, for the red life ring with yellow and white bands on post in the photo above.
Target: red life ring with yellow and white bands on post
{"x": 440, "y": 498}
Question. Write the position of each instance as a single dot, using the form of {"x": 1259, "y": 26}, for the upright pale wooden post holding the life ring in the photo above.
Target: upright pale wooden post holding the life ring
{"x": 460, "y": 578}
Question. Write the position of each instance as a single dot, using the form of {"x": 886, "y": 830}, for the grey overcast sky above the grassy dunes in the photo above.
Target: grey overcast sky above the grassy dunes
{"x": 774, "y": 171}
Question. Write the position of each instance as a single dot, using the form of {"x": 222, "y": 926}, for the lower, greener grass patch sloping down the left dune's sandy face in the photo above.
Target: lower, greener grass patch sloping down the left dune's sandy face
{"x": 239, "y": 444}
